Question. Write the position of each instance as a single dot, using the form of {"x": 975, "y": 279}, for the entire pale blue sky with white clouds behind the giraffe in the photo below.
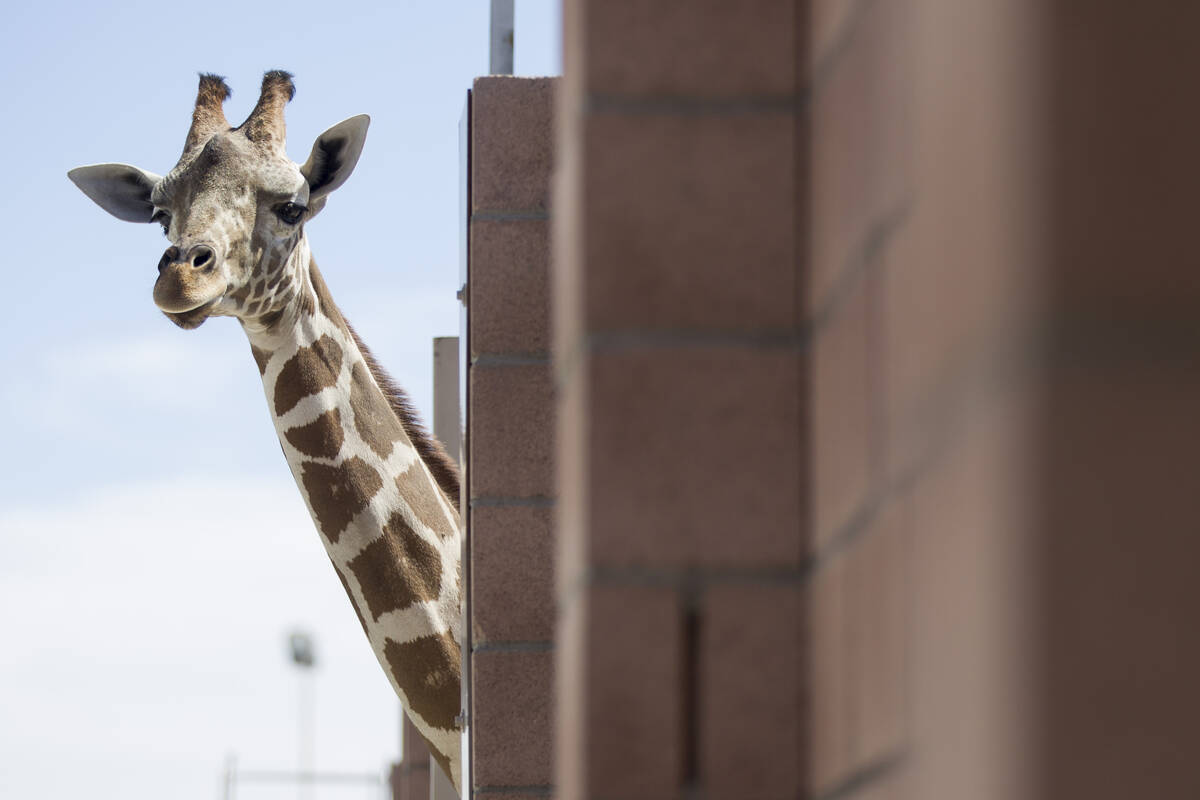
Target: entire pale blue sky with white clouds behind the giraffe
{"x": 157, "y": 550}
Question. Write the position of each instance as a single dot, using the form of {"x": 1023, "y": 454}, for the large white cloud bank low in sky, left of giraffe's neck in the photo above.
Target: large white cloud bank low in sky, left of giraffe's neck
{"x": 145, "y": 639}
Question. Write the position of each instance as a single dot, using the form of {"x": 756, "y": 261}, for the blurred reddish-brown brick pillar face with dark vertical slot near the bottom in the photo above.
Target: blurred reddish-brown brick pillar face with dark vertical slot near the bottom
{"x": 681, "y": 348}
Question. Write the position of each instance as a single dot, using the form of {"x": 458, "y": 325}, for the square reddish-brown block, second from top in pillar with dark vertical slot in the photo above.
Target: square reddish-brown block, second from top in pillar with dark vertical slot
{"x": 691, "y": 224}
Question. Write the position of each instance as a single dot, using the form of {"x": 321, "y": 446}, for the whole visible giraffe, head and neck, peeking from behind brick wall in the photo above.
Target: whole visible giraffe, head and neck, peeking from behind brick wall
{"x": 382, "y": 491}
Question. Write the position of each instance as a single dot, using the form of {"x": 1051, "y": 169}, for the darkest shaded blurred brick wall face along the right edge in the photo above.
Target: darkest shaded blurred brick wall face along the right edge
{"x": 1119, "y": 435}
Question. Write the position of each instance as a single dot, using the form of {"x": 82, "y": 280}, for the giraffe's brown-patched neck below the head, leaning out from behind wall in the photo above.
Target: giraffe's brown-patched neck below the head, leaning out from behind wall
{"x": 391, "y": 532}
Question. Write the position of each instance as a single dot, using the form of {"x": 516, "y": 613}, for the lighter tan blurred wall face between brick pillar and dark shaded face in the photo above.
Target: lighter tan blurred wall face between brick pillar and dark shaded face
{"x": 921, "y": 273}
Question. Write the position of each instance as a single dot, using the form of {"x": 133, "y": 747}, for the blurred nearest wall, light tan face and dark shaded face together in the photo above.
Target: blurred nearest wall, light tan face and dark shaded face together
{"x": 1005, "y": 339}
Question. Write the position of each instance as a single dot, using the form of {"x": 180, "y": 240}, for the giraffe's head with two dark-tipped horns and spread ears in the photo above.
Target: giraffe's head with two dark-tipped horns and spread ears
{"x": 233, "y": 208}
